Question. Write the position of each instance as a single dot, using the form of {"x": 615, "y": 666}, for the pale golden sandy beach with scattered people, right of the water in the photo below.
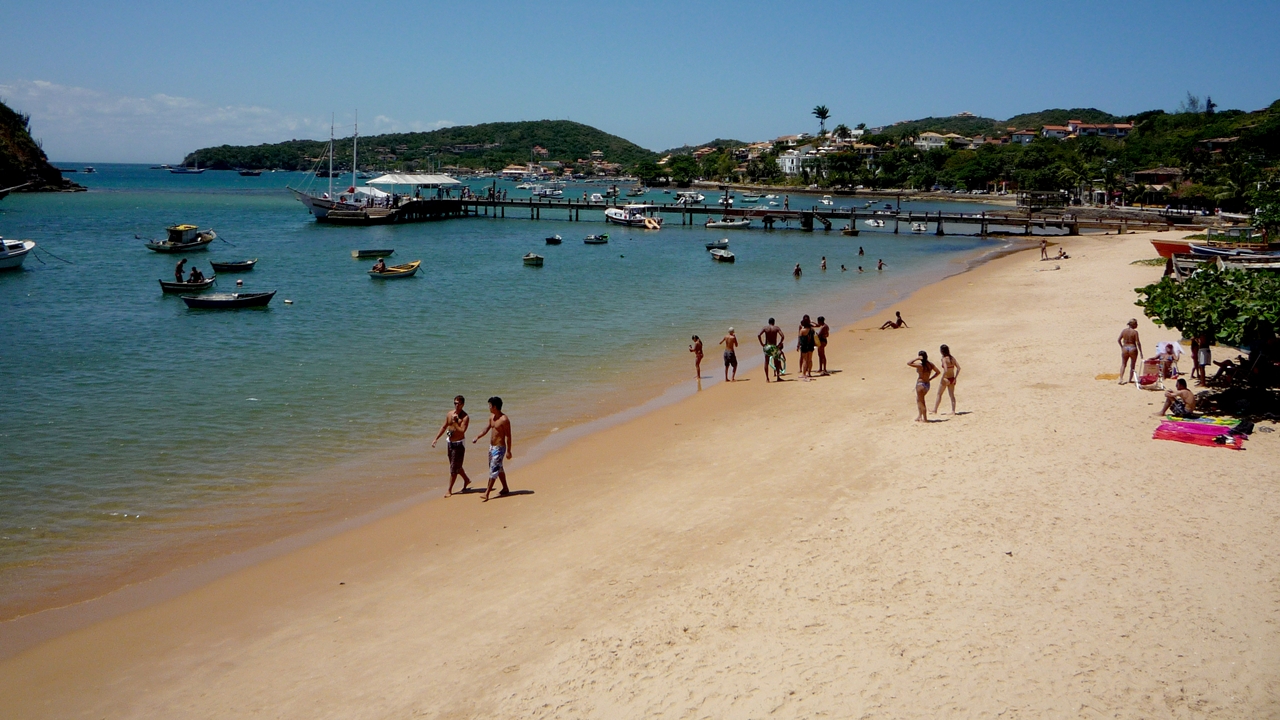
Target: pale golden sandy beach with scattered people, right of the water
{"x": 792, "y": 550}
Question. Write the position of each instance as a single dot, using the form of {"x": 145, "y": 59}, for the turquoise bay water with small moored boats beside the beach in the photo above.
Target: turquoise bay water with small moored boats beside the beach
{"x": 135, "y": 432}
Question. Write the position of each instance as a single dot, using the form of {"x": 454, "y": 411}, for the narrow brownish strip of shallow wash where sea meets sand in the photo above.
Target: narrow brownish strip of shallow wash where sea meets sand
{"x": 170, "y": 576}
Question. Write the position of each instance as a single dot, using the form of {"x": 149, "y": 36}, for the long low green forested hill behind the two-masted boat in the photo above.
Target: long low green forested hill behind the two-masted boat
{"x": 490, "y": 145}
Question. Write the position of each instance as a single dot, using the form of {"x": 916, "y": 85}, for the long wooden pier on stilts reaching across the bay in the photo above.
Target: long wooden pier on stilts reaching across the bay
{"x": 826, "y": 218}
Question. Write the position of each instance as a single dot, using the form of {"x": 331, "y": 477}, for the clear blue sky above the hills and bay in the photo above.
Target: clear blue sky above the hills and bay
{"x": 152, "y": 81}
